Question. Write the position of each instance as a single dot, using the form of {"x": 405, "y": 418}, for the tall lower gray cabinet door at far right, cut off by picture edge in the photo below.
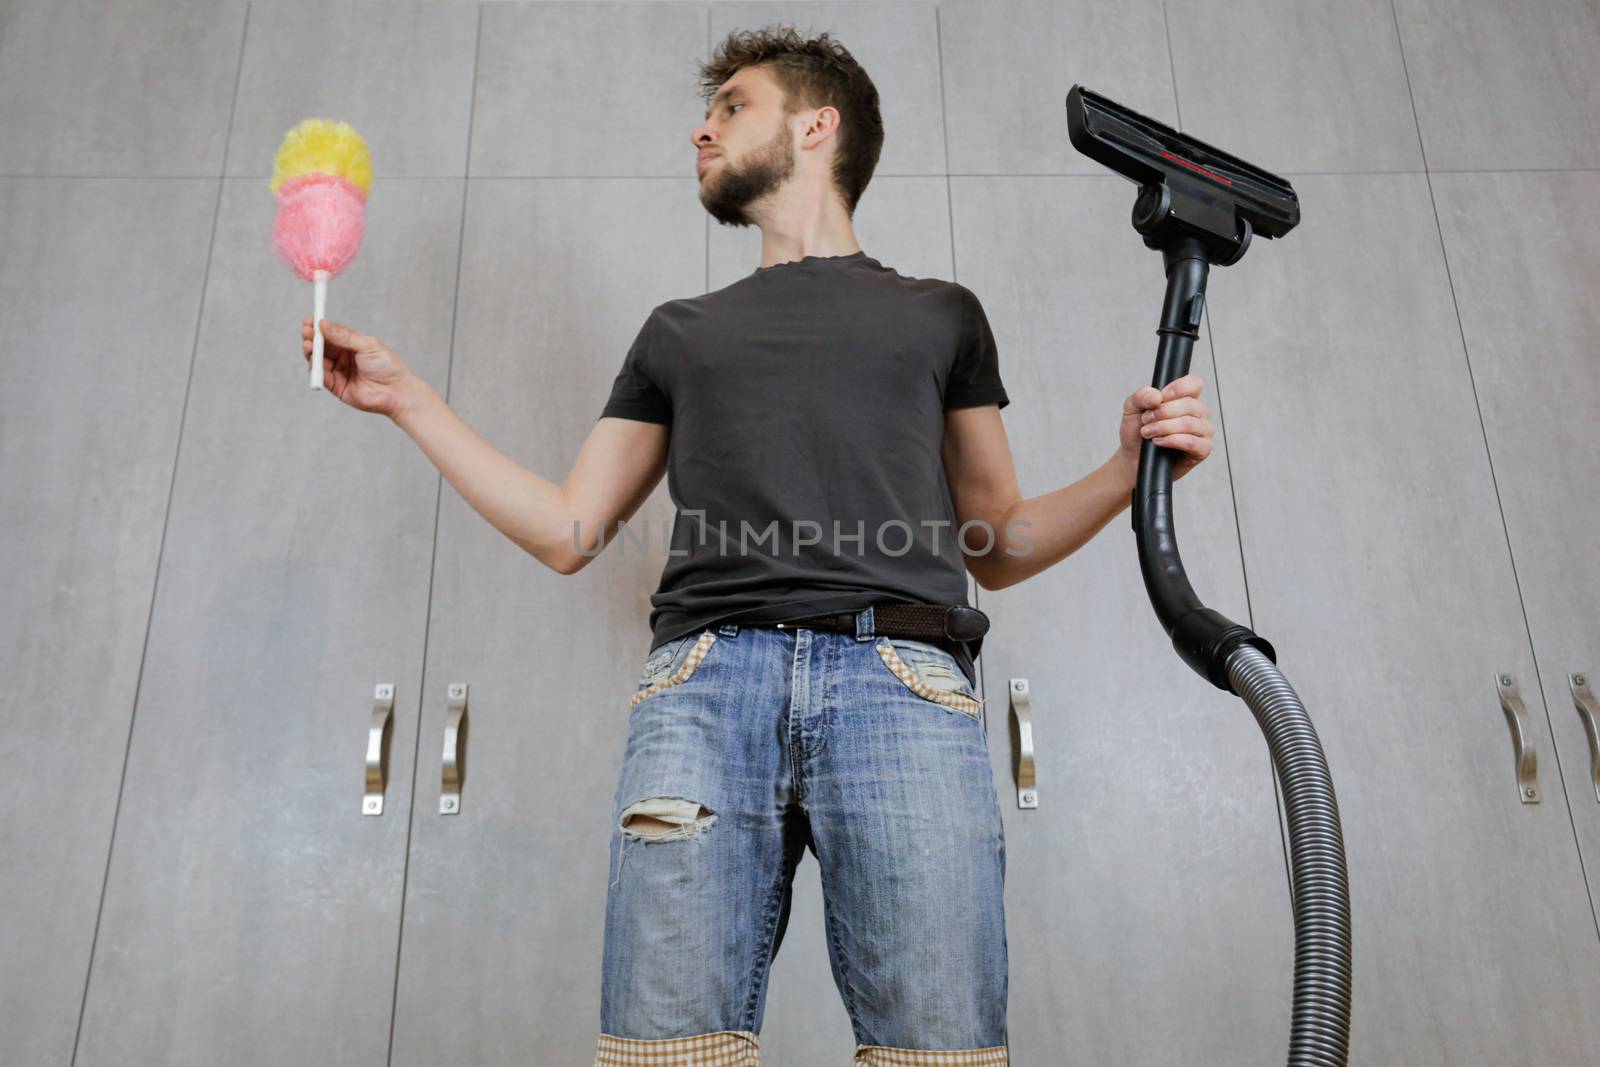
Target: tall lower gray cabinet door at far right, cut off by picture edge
{"x": 1524, "y": 262}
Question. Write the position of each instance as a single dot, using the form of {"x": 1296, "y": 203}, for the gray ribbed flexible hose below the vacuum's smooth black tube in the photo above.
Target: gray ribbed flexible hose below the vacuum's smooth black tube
{"x": 1319, "y": 1034}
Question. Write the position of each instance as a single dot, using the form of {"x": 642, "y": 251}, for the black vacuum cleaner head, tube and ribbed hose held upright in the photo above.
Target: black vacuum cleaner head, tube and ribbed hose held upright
{"x": 1199, "y": 206}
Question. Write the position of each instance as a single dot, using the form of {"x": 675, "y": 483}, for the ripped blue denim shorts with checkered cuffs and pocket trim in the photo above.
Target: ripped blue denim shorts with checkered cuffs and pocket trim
{"x": 745, "y": 748}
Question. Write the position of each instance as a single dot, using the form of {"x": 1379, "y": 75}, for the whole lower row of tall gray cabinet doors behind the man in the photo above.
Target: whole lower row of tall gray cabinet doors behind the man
{"x": 1399, "y": 503}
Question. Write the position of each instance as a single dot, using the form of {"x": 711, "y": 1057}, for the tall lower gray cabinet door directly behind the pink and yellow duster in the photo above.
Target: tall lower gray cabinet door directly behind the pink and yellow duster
{"x": 252, "y": 911}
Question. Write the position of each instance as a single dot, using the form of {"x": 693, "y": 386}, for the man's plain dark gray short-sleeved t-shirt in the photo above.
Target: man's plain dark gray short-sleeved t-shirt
{"x": 807, "y": 409}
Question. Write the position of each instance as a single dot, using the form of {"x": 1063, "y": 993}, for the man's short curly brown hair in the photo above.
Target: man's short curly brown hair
{"x": 812, "y": 73}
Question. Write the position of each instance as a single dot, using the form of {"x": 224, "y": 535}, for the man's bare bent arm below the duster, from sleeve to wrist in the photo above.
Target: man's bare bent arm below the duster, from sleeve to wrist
{"x": 618, "y": 466}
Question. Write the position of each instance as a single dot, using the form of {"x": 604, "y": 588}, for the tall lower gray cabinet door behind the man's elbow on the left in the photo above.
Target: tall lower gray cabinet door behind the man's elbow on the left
{"x": 505, "y": 908}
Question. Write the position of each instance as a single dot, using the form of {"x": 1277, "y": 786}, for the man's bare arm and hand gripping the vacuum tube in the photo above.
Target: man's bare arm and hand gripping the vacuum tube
{"x": 1018, "y": 538}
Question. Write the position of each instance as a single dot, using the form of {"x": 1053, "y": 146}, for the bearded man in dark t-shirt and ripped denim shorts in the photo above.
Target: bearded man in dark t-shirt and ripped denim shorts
{"x": 833, "y": 439}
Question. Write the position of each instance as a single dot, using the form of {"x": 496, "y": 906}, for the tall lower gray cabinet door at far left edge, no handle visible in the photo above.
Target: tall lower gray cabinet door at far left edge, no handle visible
{"x": 92, "y": 396}
